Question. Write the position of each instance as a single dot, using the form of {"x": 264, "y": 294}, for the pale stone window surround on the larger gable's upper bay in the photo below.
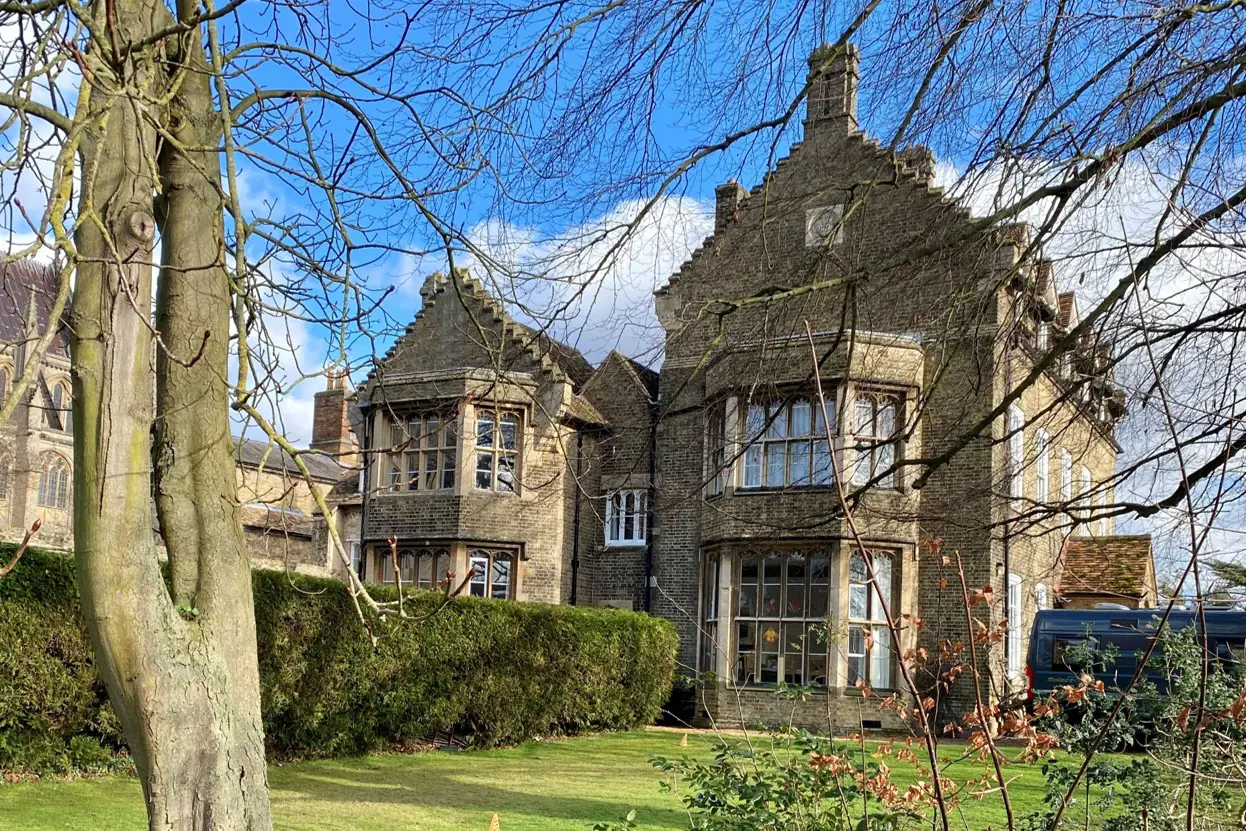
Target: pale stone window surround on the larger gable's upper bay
{"x": 733, "y": 408}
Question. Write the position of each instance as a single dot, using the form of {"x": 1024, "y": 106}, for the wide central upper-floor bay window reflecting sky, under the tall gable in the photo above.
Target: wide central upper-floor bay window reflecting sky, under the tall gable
{"x": 787, "y": 445}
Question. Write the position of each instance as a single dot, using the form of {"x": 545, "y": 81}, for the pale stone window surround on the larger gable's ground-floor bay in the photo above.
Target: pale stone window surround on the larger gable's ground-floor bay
{"x": 722, "y": 653}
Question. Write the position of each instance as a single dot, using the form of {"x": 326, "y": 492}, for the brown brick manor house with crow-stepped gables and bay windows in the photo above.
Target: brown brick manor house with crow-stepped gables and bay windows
{"x": 707, "y": 493}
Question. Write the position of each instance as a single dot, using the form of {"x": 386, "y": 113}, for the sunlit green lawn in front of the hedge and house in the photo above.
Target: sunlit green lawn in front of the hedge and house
{"x": 548, "y": 787}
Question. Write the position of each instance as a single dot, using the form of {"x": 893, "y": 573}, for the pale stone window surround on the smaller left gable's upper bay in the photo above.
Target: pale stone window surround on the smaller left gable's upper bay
{"x": 465, "y": 449}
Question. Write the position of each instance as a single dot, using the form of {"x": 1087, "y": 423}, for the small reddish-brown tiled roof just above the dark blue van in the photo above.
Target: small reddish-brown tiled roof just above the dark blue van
{"x": 1118, "y": 566}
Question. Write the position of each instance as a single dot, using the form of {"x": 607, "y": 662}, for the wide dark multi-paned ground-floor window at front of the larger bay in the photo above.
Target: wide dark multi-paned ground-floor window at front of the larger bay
{"x": 781, "y": 619}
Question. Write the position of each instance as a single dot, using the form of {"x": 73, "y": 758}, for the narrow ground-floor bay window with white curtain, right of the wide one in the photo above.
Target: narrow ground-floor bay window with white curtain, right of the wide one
{"x": 869, "y": 647}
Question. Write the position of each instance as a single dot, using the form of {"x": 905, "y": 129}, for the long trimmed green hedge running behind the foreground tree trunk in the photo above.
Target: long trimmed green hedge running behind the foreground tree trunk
{"x": 493, "y": 672}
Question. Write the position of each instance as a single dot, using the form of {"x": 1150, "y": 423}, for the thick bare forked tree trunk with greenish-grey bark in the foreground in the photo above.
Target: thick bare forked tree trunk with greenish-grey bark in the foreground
{"x": 181, "y": 670}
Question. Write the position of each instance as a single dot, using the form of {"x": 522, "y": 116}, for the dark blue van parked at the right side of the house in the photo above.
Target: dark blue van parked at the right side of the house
{"x": 1057, "y": 636}
